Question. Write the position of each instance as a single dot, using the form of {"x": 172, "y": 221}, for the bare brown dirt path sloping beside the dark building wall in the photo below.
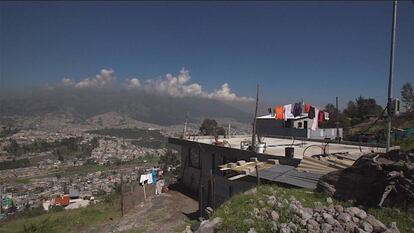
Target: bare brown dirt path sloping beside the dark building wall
{"x": 168, "y": 212}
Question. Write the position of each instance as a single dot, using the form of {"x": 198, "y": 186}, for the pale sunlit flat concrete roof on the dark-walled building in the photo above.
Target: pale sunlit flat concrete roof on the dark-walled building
{"x": 276, "y": 146}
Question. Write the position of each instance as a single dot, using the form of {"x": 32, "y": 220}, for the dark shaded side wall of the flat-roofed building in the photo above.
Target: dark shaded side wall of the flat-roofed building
{"x": 211, "y": 184}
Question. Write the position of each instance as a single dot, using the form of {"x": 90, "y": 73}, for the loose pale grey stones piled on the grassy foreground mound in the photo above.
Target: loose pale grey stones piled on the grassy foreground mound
{"x": 325, "y": 219}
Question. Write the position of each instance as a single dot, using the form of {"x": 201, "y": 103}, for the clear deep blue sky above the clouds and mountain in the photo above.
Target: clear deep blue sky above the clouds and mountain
{"x": 294, "y": 50}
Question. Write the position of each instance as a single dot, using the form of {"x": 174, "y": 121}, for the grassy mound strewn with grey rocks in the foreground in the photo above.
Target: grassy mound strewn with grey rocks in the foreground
{"x": 273, "y": 212}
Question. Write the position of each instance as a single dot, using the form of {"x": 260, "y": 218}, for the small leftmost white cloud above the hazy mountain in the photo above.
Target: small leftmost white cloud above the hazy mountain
{"x": 104, "y": 79}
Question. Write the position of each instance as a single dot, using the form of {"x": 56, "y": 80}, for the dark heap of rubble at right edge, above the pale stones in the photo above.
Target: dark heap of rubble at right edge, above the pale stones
{"x": 377, "y": 179}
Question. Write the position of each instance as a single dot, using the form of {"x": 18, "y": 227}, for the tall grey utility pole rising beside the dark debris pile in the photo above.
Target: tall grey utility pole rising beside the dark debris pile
{"x": 391, "y": 73}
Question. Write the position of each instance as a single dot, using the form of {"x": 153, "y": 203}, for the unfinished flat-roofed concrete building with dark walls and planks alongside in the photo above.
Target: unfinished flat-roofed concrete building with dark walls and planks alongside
{"x": 201, "y": 160}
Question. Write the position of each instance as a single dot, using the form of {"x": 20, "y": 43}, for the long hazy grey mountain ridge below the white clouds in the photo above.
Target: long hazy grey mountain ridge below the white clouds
{"x": 146, "y": 107}
